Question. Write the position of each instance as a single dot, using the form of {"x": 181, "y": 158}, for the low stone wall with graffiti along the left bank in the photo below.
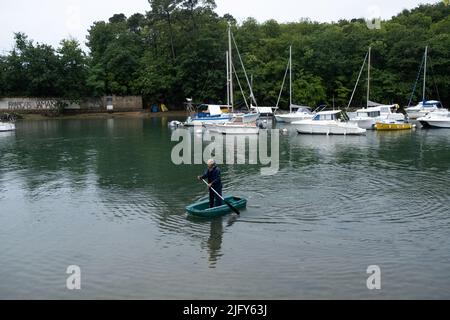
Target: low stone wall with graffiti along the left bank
{"x": 42, "y": 105}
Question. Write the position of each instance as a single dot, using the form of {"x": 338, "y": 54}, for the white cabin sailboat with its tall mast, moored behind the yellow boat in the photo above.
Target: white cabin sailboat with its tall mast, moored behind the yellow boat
{"x": 374, "y": 113}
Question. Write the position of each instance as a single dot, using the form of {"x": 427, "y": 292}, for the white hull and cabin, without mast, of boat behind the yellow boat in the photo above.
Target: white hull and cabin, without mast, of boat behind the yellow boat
{"x": 368, "y": 117}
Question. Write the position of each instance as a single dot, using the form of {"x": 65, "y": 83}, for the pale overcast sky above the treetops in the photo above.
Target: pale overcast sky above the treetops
{"x": 49, "y": 21}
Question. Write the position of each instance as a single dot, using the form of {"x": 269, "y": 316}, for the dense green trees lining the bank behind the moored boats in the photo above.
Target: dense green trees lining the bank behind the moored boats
{"x": 177, "y": 50}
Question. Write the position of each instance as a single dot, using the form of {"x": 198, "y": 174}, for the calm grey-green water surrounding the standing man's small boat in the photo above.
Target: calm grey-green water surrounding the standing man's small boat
{"x": 104, "y": 195}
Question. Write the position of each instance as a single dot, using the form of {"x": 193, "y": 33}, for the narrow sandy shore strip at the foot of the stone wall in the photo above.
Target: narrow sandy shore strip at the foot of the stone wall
{"x": 139, "y": 114}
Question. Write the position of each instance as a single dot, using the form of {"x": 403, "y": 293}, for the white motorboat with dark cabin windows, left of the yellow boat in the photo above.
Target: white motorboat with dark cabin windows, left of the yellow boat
{"x": 328, "y": 123}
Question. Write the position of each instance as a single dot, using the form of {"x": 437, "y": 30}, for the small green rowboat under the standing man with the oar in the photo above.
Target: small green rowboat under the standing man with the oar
{"x": 202, "y": 209}
